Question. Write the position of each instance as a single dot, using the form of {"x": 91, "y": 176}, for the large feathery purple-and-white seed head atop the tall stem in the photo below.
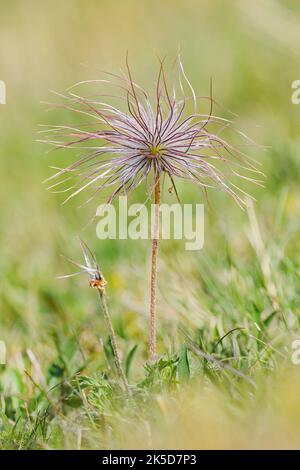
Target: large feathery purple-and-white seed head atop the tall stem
{"x": 158, "y": 135}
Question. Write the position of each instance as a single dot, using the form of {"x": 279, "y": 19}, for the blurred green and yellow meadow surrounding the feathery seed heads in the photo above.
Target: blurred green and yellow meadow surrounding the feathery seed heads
{"x": 58, "y": 387}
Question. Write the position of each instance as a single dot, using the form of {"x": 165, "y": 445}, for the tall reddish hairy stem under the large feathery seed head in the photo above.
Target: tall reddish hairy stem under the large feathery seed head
{"x": 154, "y": 268}
